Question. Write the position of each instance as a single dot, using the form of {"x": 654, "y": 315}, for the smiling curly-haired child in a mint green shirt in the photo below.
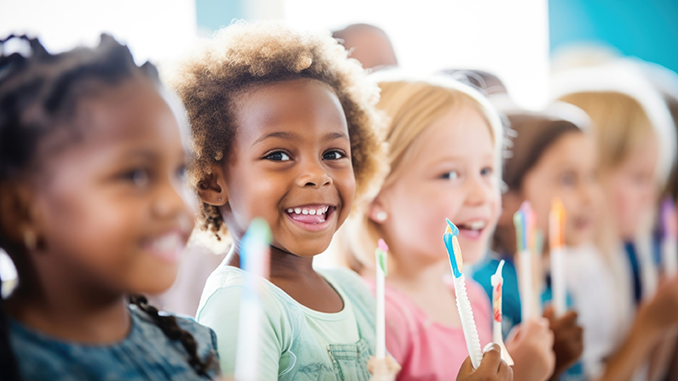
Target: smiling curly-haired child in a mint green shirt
{"x": 285, "y": 129}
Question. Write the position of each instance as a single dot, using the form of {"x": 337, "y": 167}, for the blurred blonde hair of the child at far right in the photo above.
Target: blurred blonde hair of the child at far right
{"x": 619, "y": 123}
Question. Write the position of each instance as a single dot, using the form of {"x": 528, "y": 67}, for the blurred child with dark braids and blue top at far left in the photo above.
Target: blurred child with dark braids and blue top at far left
{"x": 91, "y": 169}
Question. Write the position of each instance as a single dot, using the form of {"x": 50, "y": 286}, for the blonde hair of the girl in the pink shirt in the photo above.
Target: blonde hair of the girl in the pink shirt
{"x": 412, "y": 106}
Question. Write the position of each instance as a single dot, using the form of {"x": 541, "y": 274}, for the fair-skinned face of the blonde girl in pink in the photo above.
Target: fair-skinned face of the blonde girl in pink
{"x": 452, "y": 175}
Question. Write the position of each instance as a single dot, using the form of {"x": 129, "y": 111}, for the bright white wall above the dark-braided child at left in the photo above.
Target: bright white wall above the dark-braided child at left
{"x": 159, "y": 30}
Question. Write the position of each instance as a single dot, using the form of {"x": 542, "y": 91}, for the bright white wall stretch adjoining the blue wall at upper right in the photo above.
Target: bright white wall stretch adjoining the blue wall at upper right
{"x": 508, "y": 38}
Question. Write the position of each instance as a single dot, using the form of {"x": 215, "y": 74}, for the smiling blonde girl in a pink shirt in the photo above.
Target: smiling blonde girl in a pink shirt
{"x": 445, "y": 144}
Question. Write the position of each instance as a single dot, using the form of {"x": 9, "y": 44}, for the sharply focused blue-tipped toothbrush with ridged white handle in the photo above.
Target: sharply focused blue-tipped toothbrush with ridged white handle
{"x": 463, "y": 304}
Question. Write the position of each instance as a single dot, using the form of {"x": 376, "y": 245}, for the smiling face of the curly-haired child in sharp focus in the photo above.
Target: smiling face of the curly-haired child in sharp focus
{"x": 290, "y": 165}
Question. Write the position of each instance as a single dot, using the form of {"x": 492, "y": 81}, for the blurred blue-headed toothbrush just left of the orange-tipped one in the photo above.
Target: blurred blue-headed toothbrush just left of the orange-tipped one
{"x": 523, "y": 220}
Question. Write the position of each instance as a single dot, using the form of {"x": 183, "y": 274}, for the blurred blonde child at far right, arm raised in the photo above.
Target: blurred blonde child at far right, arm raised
{"x": 635, "y": 144}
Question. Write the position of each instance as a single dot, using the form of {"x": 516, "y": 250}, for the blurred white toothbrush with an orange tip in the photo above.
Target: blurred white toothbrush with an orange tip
{"x": 557, "y": 253}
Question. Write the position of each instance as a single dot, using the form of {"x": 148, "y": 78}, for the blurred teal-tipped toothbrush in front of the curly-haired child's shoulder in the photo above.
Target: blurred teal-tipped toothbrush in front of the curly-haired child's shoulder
{"x": 255, "y": 261}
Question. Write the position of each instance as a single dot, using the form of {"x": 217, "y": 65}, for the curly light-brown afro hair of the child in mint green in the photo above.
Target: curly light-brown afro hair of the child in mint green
{"x": 244, "y": 55}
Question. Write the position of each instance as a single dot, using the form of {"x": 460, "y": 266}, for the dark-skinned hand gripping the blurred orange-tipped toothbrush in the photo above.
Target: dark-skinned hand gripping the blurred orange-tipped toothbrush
{"x": 568, "y": 343}
